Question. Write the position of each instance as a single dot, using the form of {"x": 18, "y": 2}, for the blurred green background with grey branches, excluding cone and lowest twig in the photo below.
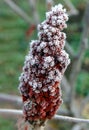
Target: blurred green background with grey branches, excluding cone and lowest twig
{"x": 18, "y": 21}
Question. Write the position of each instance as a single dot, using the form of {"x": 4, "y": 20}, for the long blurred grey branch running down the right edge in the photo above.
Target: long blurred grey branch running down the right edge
{"x": 76, "y": 67}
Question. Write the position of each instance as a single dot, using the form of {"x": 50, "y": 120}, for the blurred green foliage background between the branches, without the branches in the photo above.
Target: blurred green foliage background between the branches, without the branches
{"x": 15, "y": 35}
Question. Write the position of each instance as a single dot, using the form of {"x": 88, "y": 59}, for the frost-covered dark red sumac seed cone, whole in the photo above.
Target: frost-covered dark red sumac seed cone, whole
{"x": 44, "y": 67}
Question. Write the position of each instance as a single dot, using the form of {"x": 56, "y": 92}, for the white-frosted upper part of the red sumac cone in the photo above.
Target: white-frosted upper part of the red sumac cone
{"x": 40, "y": 61}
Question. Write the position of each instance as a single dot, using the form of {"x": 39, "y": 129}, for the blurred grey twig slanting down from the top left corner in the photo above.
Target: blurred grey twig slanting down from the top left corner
{"x": 18, "y": 10}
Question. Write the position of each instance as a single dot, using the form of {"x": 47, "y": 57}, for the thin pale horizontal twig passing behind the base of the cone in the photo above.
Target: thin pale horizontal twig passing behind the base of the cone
{"x": 13, "y": 112}
